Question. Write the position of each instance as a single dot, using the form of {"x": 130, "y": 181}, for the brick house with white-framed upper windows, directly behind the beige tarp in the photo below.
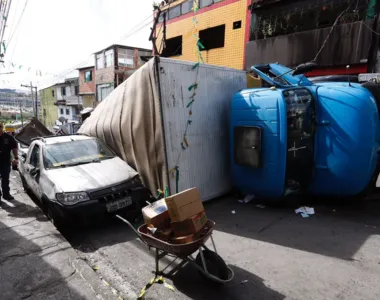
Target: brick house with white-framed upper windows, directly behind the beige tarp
{"x": 115, "y": 64}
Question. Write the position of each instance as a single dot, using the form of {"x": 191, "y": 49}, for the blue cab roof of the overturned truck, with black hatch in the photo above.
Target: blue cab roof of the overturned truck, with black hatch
{"x": 258, "y": 142}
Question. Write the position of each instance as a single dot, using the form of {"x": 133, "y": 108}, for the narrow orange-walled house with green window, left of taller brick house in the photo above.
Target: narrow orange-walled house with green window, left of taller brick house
{"x": 87, "y": 87}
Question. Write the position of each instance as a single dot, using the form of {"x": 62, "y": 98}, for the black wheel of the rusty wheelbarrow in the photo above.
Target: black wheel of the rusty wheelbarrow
{"x": 214, "y": 263}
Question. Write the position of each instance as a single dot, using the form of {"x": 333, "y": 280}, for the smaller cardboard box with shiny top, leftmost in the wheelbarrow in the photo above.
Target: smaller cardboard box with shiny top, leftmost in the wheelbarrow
{"x": 157, "y": 214}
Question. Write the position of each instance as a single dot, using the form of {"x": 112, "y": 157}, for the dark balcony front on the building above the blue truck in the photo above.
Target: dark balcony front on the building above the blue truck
{"x": 348, "y": 44}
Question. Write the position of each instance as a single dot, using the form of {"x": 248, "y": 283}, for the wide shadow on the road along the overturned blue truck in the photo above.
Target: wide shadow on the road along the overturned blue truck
{"x": 337, "y": 229}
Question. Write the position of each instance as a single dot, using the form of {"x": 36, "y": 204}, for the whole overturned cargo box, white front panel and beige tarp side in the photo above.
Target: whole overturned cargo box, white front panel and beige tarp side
{"x": 146, "y": 118}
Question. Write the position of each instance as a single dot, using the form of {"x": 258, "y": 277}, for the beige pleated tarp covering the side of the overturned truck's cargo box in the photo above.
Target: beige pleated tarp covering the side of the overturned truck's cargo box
{"x": 129, "y": 121}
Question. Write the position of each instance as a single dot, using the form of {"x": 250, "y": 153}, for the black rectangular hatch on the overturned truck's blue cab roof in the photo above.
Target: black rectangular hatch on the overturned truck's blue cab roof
{"x": 247, "y": 146}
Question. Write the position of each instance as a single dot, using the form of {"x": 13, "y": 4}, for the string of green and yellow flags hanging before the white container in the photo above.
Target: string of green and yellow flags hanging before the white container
{"x": 192, "y": 88}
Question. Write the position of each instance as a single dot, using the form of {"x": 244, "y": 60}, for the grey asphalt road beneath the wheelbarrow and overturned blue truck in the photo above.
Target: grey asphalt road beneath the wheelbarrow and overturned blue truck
{"x": 274, "y": 253}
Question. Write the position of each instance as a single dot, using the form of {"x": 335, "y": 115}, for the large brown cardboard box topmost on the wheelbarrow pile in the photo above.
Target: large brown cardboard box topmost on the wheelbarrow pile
{"x": 184, "y": 205}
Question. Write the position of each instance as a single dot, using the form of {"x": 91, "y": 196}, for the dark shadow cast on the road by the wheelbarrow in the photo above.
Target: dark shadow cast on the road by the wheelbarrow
{"x": 245, "y": 286}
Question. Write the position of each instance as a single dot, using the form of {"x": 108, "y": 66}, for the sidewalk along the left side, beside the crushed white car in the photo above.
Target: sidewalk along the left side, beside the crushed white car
{"x": 36, "y": 262}
